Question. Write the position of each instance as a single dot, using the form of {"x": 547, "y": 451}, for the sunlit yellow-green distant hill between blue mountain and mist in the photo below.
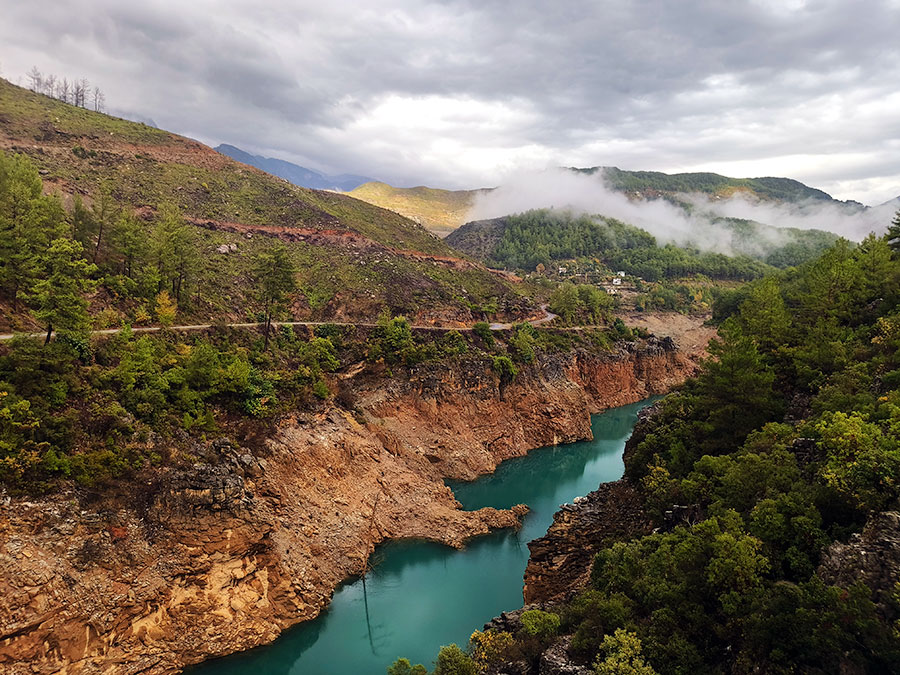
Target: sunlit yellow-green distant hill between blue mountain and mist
{"x": 441, "y": 211}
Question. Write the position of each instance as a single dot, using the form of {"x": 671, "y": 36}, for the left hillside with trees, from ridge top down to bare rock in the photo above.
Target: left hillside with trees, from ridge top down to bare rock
{"x": 107, "y": 224}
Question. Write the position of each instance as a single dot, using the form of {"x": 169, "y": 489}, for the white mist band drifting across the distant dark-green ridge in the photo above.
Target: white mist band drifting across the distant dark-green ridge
{"x": 685, "y": 209}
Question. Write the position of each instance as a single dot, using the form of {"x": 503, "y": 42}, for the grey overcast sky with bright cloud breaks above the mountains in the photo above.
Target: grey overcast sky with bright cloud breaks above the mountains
{"x": 460, "y": 93}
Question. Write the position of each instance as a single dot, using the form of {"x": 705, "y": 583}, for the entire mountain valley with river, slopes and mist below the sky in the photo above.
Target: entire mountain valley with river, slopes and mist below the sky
{"x": 229, "y": 402}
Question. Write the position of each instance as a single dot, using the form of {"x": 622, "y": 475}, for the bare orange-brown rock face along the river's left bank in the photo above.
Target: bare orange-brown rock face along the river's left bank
{"x": 227, "y": 553}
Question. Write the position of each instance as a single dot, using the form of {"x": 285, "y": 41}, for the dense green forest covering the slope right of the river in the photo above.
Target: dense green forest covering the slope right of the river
{"x": 787, "y": 441}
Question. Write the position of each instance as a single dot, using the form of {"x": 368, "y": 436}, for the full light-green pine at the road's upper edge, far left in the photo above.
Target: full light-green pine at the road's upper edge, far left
{"x": 58, "y": 297}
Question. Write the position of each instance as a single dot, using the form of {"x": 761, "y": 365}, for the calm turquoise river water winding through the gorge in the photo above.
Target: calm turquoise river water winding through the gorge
{"x": 421, "y": 595}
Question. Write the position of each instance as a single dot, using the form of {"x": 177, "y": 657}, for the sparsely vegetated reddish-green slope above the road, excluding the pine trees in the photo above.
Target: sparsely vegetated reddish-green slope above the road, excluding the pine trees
{"x": 355, "y": 258}
